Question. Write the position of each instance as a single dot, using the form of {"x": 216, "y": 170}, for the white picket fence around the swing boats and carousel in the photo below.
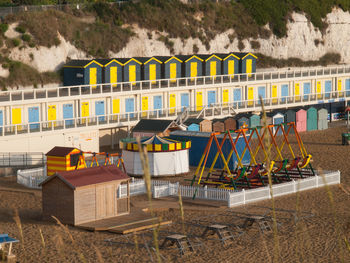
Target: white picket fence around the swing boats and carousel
{"x": 33, "y": 177}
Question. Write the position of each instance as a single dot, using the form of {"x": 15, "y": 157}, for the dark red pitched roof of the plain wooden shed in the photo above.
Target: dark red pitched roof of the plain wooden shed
{"x": 90, "y": 176}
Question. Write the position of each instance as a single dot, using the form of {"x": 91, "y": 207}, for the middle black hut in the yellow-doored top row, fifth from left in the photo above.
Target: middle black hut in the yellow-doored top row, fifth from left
{"x": 171, "y": 67}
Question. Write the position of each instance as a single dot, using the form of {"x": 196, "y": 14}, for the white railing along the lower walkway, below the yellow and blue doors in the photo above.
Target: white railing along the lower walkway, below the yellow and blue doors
{"x": 213, "y": 111}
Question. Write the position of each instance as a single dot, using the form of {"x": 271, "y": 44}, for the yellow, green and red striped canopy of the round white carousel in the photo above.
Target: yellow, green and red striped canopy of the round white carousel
{"x": 155, "y": 144}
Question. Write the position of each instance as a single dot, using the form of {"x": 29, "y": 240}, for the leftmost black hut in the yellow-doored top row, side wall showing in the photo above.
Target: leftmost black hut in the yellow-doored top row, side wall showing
{"x": 82, "y": 72}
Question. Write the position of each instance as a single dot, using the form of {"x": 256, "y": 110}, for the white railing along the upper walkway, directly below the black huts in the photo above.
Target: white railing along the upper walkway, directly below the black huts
{"x": 110, "y": 89}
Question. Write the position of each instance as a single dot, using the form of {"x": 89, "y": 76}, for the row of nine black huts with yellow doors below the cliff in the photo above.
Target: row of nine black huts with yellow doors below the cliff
{"x": 116, "y": 70}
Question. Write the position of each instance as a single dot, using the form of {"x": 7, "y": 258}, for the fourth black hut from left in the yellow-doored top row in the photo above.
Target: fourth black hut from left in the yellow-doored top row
{"x": 151, "y": 68}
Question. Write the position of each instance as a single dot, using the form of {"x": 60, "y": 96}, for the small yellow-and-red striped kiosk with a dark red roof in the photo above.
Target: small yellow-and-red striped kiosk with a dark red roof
{"x": 64, "y": 159}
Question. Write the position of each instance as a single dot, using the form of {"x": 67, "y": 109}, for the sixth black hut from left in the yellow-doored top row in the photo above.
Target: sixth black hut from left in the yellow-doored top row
{"x": 191, "y": 66}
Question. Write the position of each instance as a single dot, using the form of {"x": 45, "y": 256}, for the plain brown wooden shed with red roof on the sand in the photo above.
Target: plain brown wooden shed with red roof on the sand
{"x": 86, "y": 195}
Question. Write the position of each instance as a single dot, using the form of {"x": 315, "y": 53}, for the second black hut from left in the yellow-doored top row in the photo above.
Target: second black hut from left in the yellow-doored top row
{"x": 112, "y": 70}
